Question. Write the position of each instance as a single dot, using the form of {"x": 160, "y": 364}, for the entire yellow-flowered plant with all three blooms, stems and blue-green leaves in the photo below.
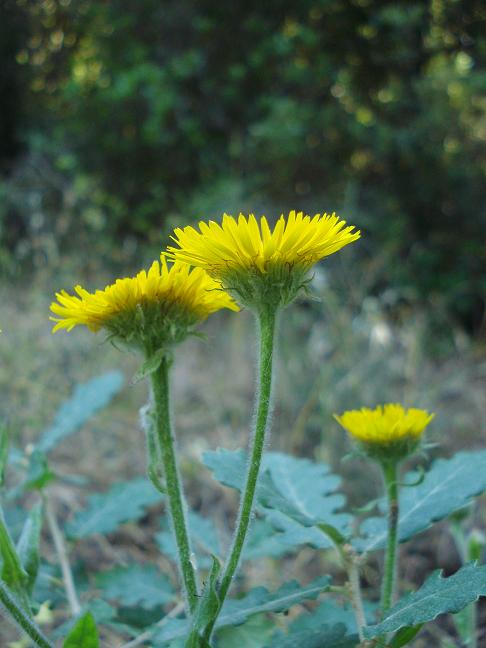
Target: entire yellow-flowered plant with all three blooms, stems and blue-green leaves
{"x": 285, "y": 502}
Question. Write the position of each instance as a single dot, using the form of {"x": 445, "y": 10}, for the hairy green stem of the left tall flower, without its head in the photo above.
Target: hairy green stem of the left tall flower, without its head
{"x": 165, "y": 440}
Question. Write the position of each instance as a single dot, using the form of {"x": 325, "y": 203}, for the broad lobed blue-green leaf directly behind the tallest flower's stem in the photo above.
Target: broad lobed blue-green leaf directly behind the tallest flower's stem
{"x": 295, "y": 495}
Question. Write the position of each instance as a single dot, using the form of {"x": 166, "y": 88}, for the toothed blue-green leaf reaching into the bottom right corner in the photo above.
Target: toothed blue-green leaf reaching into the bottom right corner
{"x": 437, "y": 596}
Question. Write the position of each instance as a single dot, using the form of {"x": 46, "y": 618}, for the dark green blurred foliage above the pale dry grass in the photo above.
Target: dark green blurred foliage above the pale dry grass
{"x": 124, "y": 118}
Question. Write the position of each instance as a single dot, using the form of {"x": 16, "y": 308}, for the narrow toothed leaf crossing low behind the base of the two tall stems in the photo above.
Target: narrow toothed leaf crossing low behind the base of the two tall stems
{"x": 258, "y": 600}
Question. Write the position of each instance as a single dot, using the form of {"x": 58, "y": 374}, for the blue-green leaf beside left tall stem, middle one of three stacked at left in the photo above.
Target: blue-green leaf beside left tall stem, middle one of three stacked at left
{"x": 105, "y": 512}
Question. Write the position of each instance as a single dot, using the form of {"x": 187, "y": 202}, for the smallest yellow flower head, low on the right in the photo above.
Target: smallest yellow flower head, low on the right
{"x": 388, "y": 431}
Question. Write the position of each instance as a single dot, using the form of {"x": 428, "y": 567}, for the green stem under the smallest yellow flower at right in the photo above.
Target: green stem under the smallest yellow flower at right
{"x": 391, "y": 485}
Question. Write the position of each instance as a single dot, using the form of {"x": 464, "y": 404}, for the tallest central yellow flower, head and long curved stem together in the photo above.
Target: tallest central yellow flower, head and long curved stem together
{"x": 264, "y": 271}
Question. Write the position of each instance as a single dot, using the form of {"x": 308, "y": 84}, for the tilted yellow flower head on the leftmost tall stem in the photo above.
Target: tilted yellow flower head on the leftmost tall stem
{"x": 153, "y": 309}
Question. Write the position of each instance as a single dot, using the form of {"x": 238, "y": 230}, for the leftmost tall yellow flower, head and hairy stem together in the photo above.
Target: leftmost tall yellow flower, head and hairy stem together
{"x": 153, "y": 312}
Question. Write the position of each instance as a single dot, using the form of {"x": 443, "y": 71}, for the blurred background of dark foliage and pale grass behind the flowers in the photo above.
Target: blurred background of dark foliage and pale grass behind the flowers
{"x": 122, "y": 119}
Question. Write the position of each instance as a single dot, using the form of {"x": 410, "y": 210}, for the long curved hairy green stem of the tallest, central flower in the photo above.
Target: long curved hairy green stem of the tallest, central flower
{"x": 267, "y": 325}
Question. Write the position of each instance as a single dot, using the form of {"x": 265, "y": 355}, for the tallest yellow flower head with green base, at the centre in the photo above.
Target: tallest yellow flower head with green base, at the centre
{"x": 257, "y": 264}
